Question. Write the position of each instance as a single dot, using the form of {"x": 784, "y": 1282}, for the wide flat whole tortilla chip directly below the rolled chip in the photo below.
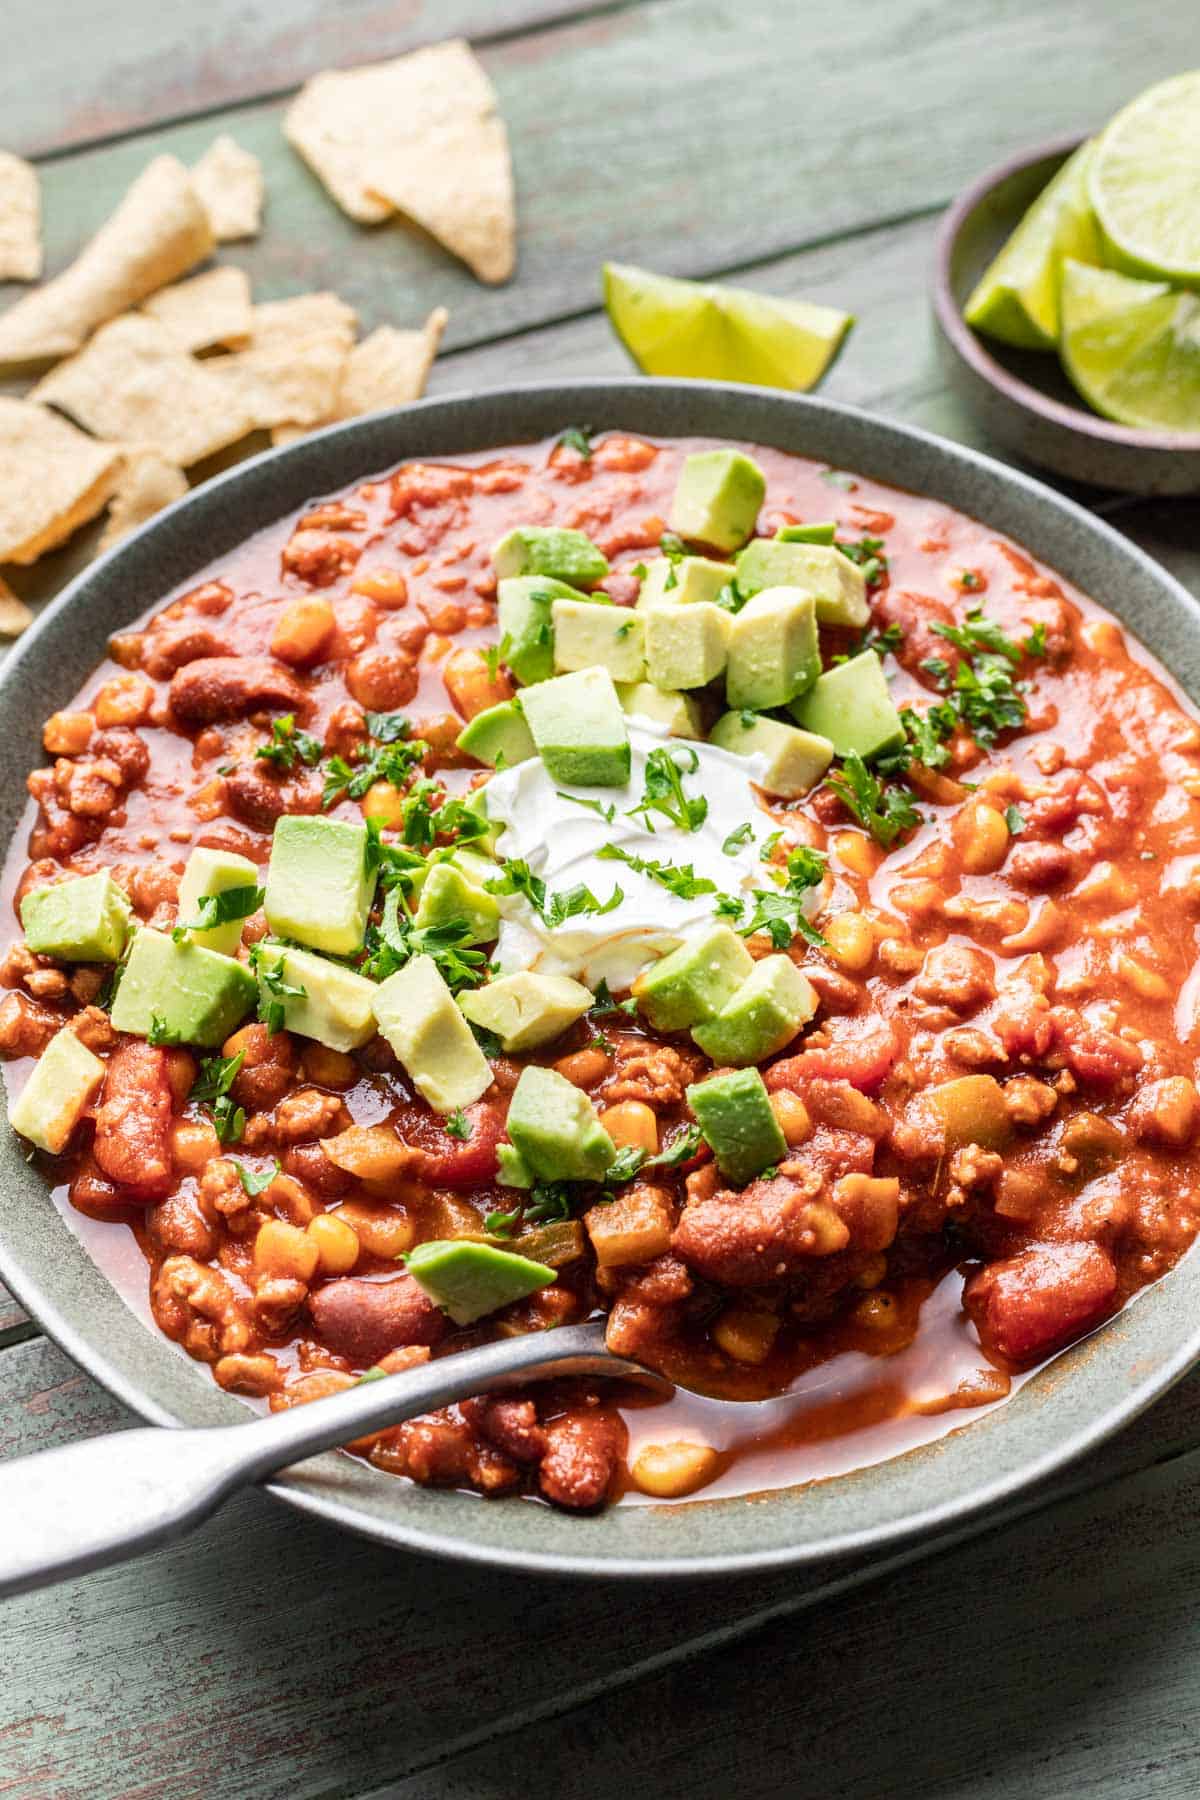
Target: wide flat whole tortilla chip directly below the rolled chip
{"x": 134, "y": 384}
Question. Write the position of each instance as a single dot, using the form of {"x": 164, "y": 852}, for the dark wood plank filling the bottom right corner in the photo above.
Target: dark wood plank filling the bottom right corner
{"x": 1057, "y": 1657}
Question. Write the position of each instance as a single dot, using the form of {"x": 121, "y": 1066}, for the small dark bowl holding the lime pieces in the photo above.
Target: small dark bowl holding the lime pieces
{"x": 1021, "y": 395}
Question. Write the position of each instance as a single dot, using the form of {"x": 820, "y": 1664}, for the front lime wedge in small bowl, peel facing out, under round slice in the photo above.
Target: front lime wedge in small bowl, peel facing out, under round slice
{"x": 1133, "y": 348}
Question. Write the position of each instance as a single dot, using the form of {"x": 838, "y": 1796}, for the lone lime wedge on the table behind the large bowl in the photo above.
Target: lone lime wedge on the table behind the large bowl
{"x": 708, "y": 332}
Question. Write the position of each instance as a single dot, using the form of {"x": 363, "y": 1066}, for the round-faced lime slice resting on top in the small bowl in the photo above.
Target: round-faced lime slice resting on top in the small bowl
{"x": 1145, "y": 181}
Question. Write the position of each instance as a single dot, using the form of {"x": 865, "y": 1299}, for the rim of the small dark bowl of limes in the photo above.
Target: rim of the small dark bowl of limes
{"x": 974, "y": 350}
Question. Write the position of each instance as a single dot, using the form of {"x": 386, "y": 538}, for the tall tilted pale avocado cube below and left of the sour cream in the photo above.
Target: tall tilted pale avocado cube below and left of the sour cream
{"x": 418, "y": 1016}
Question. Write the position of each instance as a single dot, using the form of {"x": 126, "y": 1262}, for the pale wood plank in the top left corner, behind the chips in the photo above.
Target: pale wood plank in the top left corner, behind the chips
{"x": 102, "y": 71}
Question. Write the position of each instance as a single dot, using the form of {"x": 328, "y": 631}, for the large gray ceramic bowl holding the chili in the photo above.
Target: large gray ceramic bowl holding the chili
{"x": 1086, "y": 1396}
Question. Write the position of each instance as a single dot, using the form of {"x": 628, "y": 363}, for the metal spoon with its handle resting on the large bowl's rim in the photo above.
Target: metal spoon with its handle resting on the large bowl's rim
{"x": 112, "y": 1498}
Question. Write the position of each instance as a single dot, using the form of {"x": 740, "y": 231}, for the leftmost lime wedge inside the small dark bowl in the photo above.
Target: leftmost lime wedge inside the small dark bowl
{"x": 1017, "y": 300}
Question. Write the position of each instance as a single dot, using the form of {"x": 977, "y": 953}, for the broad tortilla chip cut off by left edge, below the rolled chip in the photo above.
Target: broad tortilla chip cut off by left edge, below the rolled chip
{"x": 53, "y": 480}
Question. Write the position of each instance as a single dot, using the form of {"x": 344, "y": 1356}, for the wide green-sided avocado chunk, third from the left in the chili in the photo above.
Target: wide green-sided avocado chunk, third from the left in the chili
{"x": 181, "y": 993}
